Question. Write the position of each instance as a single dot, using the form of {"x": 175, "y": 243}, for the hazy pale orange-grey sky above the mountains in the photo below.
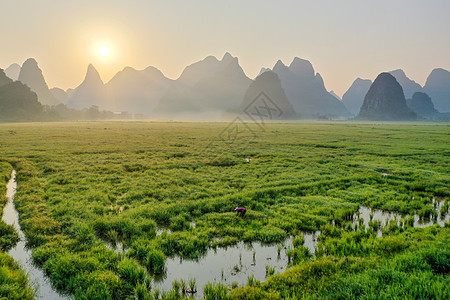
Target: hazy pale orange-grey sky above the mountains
{"x": 343, "y": 39}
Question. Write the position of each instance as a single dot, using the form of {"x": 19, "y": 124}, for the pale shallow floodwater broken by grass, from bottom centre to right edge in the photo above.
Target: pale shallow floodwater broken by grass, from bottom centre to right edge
{"x": 237, "y": 263}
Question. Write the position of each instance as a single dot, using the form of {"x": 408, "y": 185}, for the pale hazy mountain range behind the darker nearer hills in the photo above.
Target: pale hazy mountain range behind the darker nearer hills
{"x": 216, "y": 89}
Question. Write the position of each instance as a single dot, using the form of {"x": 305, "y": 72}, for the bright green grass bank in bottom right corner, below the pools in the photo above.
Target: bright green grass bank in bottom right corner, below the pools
{"x": 412, "y": 265}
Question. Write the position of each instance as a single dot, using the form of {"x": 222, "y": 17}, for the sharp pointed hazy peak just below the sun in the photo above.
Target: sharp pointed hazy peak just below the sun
{"x": 91, "y": 91}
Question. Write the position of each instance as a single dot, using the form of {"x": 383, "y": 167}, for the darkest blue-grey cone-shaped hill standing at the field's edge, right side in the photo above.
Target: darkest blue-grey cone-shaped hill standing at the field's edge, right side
{"x": 385, "y": 101}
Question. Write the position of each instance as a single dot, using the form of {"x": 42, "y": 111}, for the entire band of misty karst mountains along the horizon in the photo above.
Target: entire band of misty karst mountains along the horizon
{"x": 219, "y": 90}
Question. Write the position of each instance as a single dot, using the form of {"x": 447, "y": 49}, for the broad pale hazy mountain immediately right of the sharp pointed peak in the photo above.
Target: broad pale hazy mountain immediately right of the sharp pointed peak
{"x": 137, "y": 91}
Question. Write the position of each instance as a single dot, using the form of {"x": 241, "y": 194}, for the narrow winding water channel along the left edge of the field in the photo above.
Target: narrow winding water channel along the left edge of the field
{"x": 21, "y": 254}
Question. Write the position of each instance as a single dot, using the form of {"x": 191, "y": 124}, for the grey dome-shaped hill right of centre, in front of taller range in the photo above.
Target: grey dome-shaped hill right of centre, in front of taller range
{"x": 265, "y": 96}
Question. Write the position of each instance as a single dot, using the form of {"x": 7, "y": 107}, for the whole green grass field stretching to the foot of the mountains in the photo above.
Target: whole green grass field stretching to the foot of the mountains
{"x": 81, "y": 185}
